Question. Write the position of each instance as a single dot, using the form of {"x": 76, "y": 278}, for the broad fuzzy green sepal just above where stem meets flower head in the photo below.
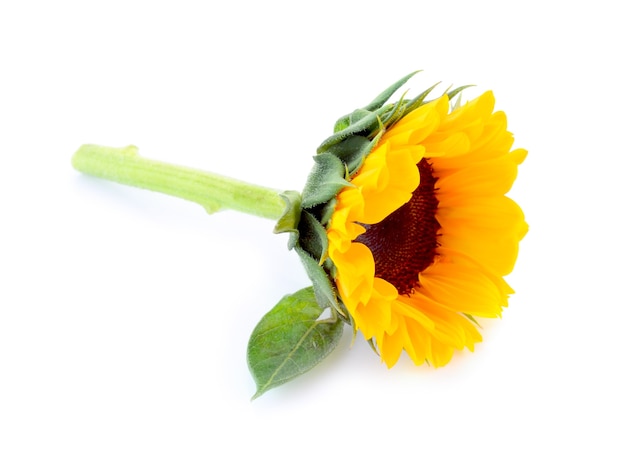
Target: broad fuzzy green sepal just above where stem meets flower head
{"x": 326, "y": 179}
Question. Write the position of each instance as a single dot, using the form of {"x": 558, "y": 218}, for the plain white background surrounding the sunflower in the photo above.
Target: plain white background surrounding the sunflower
{"x": 124, "y": 314}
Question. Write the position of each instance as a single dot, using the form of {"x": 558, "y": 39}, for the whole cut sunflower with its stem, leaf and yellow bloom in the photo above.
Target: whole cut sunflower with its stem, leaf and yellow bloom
{"x": 403, "y": 228}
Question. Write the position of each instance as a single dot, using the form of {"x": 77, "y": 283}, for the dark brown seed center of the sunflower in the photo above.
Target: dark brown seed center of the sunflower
{"x": 405, "y": 242}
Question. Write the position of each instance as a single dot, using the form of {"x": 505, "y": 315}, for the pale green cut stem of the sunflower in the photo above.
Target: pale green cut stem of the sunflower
{"x": 213, "y": 192}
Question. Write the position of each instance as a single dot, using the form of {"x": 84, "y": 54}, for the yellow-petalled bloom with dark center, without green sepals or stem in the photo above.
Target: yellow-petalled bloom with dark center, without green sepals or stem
{"x": 423, "y": 236}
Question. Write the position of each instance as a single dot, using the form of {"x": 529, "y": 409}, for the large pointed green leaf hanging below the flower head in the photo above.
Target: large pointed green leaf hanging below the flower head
{"x": 290, "y": 340}
